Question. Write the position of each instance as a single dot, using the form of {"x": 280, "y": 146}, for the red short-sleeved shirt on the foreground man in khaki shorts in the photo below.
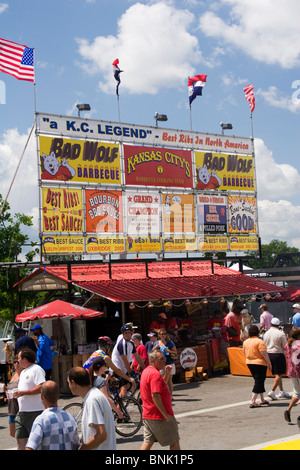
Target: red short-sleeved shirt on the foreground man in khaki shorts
{"x": 153, "y": 382}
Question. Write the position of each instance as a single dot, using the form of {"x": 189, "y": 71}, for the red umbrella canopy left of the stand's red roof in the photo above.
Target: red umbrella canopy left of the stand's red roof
{"x": 57, "y": 309}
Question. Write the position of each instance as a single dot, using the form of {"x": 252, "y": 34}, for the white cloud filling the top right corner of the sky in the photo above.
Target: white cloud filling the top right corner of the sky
{"x": 268, "y": 30}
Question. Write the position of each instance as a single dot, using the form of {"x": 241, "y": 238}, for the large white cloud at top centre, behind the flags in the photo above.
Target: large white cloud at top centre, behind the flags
{"x": 154, "y": 47}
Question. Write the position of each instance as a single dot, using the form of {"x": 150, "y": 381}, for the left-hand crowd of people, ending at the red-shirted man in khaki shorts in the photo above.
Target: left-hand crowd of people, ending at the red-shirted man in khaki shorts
{"x": 38, "y": 423}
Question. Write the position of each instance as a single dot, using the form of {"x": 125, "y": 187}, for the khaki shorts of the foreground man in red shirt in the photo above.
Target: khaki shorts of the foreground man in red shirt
{"x": 161, "y": 431}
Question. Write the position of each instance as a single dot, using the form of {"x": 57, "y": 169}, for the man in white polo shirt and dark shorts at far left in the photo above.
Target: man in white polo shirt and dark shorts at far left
{"x": 29, "y": 395}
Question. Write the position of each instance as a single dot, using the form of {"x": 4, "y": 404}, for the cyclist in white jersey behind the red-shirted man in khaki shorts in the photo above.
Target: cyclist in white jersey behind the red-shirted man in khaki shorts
{"x": 123, "y": 353}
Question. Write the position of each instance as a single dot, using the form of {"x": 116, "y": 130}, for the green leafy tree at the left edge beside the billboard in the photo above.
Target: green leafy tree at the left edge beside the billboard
{"x": 12, "y": 240}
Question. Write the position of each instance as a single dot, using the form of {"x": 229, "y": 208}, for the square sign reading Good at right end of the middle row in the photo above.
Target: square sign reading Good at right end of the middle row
{"x": 242, "y": 214}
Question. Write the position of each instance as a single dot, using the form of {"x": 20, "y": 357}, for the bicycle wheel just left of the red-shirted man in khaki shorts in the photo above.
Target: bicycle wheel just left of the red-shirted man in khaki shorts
{"x": 132, "y": 421}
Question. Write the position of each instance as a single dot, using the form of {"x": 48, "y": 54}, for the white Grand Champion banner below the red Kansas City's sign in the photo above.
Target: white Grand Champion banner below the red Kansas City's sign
{"x": 143, "y": 213}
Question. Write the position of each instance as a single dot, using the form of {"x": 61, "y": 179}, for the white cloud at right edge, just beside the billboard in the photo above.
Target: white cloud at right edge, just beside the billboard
{"x": 274, "y": 180}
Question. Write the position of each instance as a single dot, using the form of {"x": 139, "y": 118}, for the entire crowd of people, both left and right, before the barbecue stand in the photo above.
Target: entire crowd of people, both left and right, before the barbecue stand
{"x": 38, "y": 423}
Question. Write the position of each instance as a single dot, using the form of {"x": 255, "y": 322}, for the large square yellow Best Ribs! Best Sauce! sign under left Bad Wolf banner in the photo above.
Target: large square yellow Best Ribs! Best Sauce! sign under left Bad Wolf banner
{"x": 62, "y": 210}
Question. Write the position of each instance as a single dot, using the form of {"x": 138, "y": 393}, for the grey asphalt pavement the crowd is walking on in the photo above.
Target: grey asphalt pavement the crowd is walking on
{"x": 212, "y": 415}
